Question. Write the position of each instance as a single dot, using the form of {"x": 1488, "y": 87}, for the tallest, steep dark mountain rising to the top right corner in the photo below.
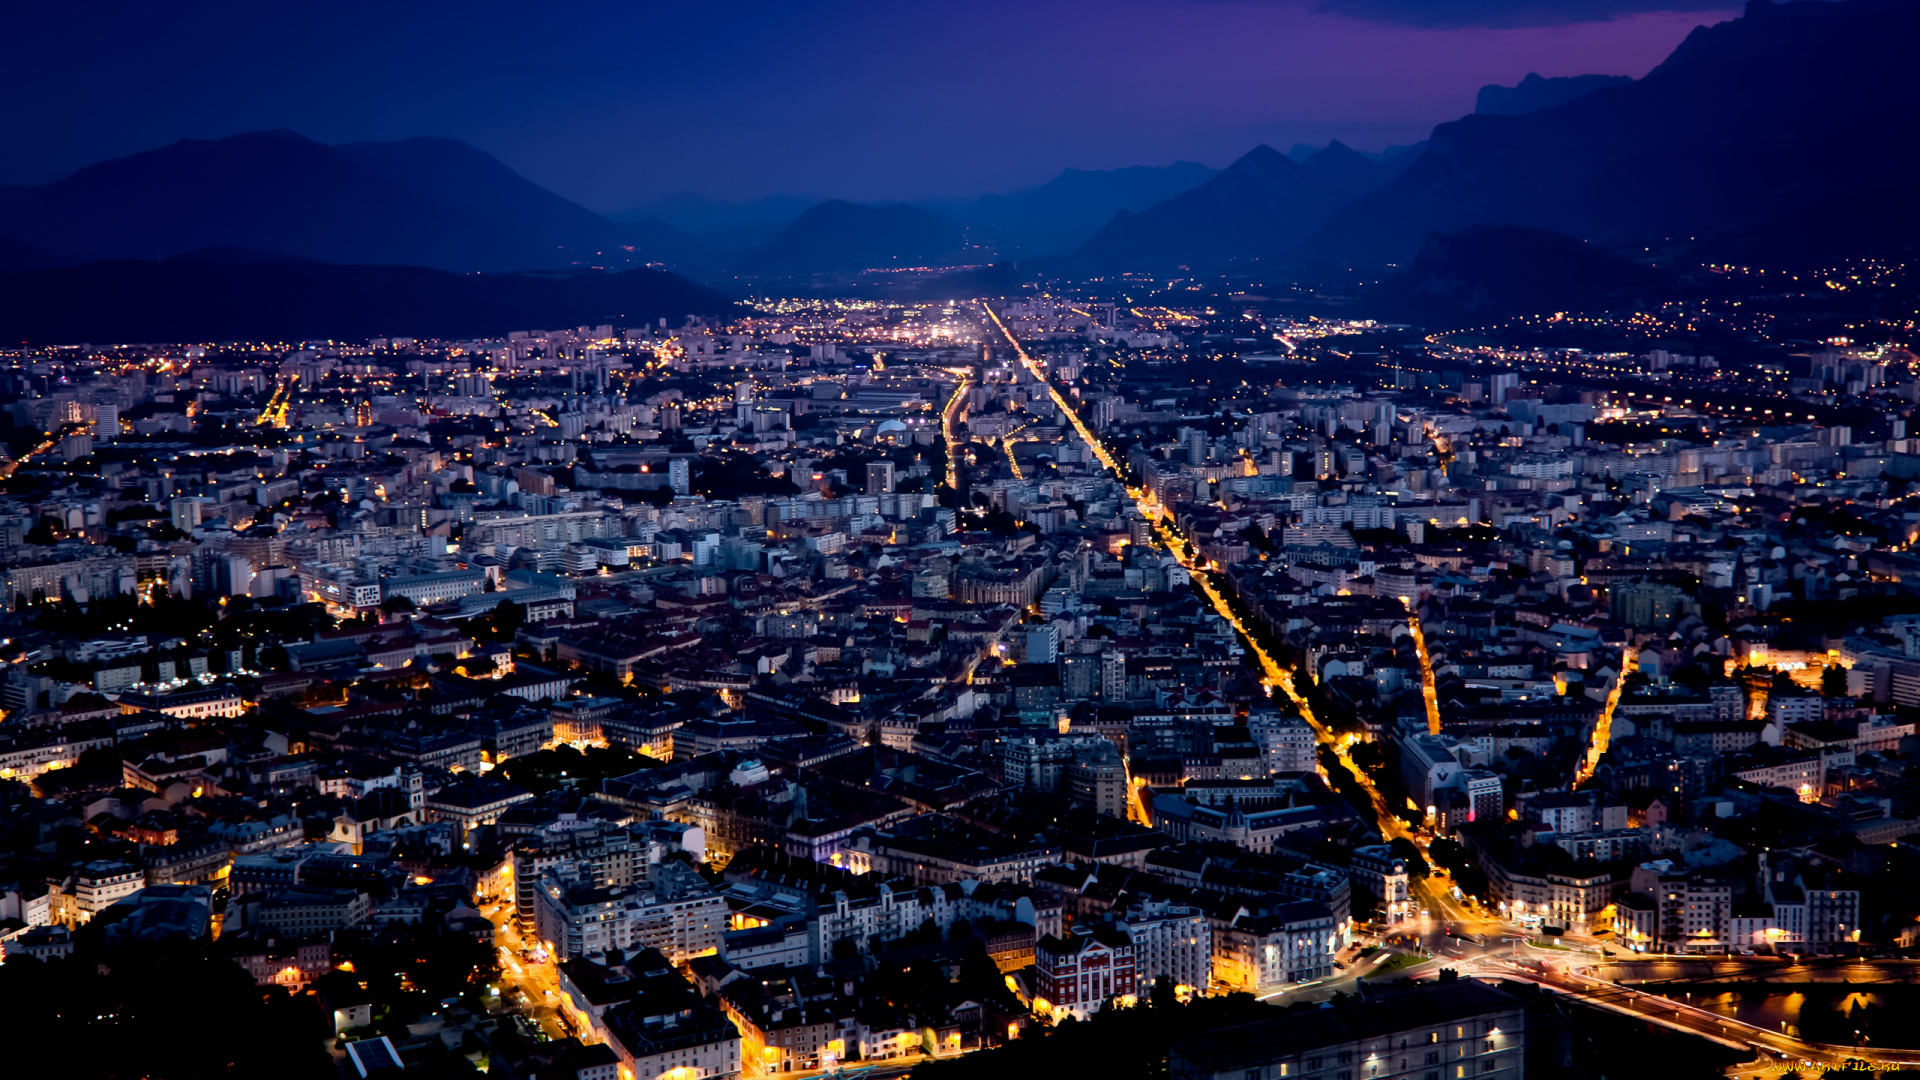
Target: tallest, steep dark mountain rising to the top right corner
{"x": 1746, "y": 122}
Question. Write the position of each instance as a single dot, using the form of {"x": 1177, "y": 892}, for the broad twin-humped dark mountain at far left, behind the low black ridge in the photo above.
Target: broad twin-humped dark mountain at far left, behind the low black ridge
{"x": 421, "y": 203}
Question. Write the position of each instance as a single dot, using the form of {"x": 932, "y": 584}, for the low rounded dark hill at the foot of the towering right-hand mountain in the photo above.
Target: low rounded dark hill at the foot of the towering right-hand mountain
{"x": 1493, "y": 272}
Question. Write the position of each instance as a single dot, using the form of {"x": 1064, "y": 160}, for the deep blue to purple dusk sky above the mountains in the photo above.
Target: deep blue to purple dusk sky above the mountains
{"x": 617, "y": 105}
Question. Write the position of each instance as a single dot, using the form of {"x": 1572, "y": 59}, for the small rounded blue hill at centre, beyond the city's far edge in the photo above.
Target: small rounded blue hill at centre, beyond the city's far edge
{"x": 842, "y": 237}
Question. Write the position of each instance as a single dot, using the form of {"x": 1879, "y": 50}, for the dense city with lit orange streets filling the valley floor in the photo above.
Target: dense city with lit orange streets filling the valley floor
{"x": 861, "y": 685}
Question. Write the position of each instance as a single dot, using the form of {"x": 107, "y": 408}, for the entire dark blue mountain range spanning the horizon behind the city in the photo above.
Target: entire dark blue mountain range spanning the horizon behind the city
{"x": 1775, "y": 135}
